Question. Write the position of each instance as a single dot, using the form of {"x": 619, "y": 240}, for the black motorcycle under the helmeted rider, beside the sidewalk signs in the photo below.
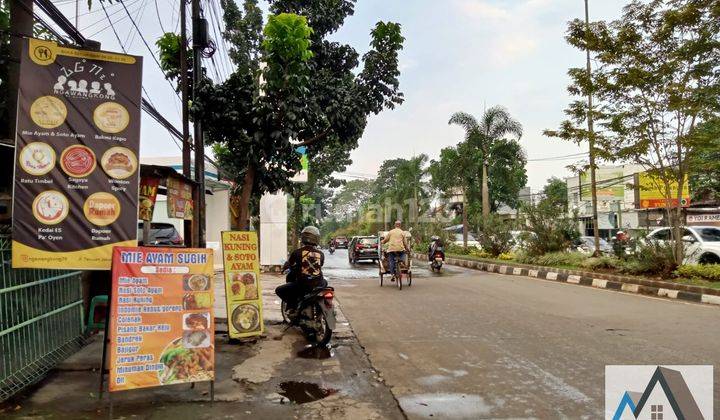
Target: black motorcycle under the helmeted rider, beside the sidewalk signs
{"x": 315, "y": 315}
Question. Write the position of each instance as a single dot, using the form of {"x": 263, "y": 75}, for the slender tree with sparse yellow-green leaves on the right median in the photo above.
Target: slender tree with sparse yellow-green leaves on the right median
{"x": 656, "y": 79}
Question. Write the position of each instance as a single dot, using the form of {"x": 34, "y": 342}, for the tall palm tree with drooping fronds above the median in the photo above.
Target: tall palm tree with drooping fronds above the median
{"x": 495, "y": 124}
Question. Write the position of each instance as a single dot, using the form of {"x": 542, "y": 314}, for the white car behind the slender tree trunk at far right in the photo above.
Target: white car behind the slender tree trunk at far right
{"x": 702, "y": 243}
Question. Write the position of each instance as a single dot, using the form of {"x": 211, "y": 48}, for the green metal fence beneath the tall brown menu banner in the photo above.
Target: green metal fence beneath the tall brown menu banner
{"x": 41, "y": 321}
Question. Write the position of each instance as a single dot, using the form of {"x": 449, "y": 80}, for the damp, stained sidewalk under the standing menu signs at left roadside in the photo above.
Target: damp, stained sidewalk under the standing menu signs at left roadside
{"x": 275, "y": 376}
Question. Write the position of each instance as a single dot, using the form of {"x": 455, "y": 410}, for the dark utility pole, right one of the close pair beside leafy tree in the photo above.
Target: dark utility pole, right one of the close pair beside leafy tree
{"x": 199, "y": 43}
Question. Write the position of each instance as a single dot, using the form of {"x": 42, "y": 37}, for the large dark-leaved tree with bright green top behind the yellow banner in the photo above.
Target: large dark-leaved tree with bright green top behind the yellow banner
{"x": 255, "y": 126}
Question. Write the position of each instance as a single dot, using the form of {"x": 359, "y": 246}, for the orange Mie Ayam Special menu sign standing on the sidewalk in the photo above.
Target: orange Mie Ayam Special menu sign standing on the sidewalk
{"x": 162, "y": 327}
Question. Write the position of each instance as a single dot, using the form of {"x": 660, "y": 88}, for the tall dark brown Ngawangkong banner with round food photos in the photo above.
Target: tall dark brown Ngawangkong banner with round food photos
{"x": 76, "y": 157}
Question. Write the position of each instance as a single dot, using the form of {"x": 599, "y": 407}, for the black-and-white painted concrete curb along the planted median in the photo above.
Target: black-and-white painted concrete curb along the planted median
{"x": 646, "y": 287}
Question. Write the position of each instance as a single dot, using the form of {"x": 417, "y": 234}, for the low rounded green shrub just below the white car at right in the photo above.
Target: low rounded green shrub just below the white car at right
{"x": 653, "y": 257}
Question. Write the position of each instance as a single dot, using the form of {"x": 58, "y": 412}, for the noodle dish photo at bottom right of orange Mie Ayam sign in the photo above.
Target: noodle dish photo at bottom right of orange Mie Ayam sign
{"x": 185, "y": 364}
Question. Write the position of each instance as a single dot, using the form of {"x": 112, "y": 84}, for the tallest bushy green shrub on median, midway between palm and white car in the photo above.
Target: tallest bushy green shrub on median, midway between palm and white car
{"x": 553, "y": 231}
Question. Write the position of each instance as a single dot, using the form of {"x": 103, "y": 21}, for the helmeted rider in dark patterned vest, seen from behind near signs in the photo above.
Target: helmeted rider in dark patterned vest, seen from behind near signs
{"x": 305, "y": 265}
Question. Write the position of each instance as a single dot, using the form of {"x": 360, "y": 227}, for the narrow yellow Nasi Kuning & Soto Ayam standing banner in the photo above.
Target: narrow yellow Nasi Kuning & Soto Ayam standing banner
{"x": 242, "y": 284}
